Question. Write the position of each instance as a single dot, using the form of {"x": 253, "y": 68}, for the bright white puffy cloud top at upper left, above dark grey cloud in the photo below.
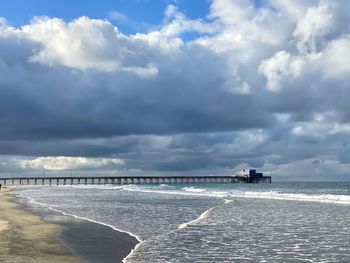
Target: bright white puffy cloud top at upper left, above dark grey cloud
{"x": 82, "y": 44}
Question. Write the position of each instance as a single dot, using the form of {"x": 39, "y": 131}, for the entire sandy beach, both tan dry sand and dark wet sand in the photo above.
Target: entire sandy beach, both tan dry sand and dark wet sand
{"x": 32, "y": 234}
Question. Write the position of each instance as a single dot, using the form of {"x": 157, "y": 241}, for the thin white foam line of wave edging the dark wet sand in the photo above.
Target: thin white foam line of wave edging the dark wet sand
{"x": 50, "y": 207}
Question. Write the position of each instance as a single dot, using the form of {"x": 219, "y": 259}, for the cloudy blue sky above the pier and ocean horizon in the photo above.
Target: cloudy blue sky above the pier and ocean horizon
{"x": 205, "y": 87}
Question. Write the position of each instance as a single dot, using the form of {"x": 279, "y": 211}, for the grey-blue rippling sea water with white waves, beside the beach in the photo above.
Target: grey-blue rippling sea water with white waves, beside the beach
{"x": 278, "y": 222}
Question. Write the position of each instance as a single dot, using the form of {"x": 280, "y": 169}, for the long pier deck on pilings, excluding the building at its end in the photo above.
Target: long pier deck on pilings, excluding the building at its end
{"x": 119, "y": 180}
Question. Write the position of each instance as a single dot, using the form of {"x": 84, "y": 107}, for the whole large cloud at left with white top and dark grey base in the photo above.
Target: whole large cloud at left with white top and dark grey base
{"x": 85, "y": 79}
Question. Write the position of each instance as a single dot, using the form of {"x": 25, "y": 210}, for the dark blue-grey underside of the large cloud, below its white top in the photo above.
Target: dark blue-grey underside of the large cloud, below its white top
{"x": 41, "y": 102}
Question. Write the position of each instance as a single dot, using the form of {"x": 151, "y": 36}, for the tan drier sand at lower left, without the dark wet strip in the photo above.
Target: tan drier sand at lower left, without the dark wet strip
{"x": 26, "y": 238}
